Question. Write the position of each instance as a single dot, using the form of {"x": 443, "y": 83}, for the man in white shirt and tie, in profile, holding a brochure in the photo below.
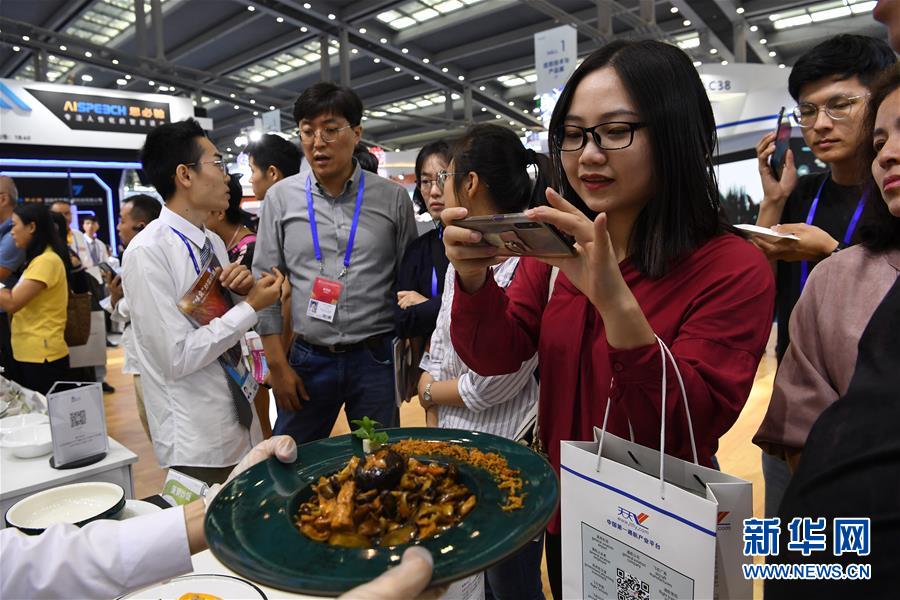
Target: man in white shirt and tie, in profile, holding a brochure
{"x": 200, "y": 421}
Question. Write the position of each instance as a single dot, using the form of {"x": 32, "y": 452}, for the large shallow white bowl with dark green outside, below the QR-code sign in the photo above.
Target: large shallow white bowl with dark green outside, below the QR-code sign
{"x": 77, "y": 503}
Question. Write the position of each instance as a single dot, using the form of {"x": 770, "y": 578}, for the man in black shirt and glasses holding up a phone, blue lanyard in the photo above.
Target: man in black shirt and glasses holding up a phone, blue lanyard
{"x": 830, "y": 84}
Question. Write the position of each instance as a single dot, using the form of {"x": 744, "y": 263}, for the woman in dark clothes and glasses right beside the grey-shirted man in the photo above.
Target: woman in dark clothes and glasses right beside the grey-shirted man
{"x": 420, "y": 278}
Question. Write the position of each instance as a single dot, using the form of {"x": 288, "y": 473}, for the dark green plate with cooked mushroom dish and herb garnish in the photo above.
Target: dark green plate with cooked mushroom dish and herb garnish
{"x": 339, "y": 517}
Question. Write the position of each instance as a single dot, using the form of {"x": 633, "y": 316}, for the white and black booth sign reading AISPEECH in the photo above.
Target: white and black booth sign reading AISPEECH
{"x": 67, "y": 115}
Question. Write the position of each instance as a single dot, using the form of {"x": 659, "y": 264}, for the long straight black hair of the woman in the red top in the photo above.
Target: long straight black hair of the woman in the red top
{"x": 685, "y": 210}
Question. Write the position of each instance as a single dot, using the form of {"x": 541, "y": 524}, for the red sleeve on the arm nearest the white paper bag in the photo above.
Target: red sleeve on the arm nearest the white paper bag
{"x": 717, "y": 349}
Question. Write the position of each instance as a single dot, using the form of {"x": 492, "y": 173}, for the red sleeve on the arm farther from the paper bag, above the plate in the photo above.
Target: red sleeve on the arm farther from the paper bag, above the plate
{"x": 495, "y": 331}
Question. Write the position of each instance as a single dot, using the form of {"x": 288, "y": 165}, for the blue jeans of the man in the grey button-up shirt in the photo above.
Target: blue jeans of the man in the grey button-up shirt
{"x": 362, "y": 381}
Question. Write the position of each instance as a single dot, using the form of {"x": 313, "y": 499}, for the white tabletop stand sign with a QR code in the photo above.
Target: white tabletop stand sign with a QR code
{"x": 77, "y": 421}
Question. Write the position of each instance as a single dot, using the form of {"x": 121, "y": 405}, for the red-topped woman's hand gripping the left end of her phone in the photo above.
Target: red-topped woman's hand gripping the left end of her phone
{"x": 470, "y": 258}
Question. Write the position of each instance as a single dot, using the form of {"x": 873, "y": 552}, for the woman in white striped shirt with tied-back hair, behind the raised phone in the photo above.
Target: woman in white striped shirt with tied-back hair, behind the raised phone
{"x": 488, "y": 175}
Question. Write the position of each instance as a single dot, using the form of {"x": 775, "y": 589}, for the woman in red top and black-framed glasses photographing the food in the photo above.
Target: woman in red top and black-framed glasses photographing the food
{"x": 633, "y": 133}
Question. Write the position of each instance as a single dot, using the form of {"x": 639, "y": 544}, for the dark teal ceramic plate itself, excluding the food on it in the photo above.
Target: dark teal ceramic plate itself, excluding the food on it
{"x": 250, "y": 528}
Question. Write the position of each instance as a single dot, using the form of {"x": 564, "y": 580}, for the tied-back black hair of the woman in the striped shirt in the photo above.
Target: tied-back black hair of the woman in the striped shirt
{"x": 502, "y": 163}
